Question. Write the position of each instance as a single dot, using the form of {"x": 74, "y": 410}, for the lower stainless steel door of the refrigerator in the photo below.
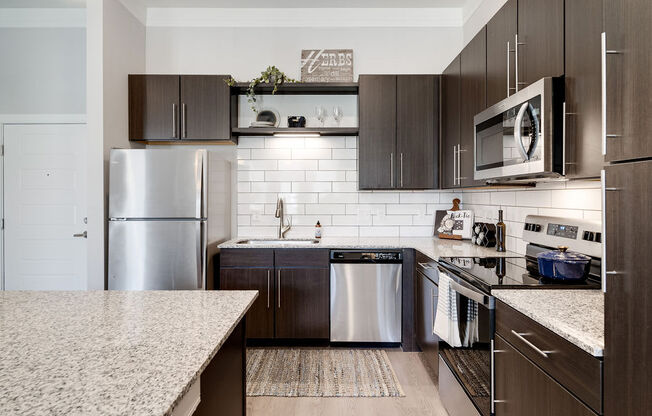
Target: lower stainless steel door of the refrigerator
{"x": 153, "y": 255}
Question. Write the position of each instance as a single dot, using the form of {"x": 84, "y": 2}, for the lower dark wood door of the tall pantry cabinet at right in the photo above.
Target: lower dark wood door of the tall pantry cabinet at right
{"x": 627, "y": 377}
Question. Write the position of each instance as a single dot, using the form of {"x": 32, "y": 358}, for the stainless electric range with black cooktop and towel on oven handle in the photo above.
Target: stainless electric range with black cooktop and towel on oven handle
{"x": 466, "y": 347}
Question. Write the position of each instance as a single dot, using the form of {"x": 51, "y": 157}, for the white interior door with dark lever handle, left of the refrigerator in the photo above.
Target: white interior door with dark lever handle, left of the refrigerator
{"x": 45, "y": 206}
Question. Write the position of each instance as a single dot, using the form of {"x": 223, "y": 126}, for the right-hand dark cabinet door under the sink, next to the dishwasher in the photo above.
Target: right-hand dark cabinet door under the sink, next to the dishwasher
{"x": 302, "y": 303}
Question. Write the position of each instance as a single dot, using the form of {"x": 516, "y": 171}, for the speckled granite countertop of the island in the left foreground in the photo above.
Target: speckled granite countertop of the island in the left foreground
{"x": 108, "y": 352}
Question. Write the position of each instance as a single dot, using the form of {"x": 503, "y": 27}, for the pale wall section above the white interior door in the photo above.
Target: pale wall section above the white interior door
{"x": 43, "y": 70}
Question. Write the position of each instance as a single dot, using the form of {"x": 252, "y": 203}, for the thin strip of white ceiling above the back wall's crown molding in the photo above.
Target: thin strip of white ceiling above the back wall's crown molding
{"x": 305, "y": 3}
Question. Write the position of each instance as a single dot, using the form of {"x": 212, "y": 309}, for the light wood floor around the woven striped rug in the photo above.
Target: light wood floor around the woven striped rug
{"x": 421, "y": 397}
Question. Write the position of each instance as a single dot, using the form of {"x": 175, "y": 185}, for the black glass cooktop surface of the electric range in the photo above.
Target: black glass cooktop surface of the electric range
{"x": 490, "y": 273}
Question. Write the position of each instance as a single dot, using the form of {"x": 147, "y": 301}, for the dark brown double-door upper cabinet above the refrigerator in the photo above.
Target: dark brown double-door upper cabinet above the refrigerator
{"x": 179, "y": 107}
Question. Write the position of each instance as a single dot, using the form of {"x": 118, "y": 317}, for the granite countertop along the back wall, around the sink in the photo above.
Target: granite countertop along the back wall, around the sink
{"x": 430, "y": 246}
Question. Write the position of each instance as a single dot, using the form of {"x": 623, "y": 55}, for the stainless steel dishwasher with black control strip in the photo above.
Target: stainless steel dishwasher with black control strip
{"x": 366, "y": 291}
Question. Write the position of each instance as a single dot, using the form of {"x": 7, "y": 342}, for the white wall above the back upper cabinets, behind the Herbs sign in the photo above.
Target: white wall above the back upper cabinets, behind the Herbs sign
{"x": 245, "y": 52}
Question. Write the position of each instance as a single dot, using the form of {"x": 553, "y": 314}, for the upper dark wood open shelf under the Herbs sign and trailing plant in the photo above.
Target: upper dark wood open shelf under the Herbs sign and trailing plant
{"x": 301, "y": 88}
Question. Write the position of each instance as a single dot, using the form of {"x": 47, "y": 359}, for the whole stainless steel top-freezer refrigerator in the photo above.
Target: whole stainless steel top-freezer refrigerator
{"x": 158, "y": 212}
